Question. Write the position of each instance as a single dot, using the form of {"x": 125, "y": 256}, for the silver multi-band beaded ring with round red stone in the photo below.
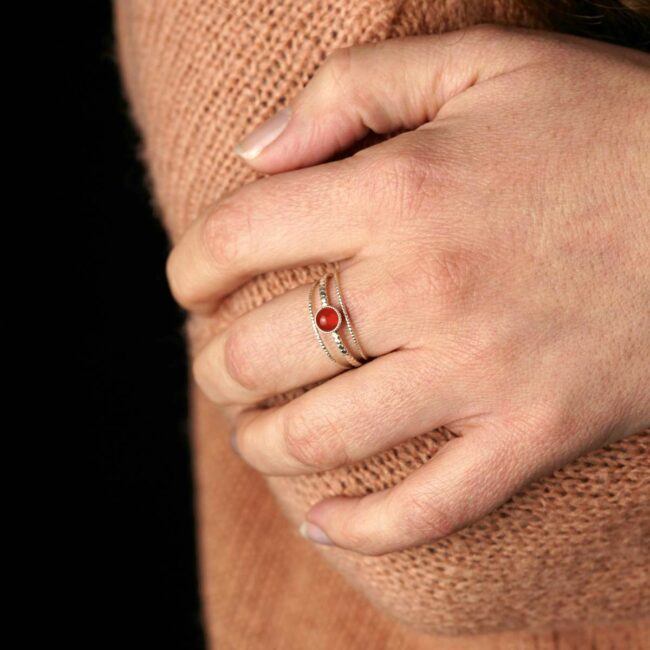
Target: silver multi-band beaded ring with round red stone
{"x": 328, "y": 319}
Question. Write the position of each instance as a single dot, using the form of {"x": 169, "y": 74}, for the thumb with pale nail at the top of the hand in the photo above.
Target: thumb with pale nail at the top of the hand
{"x": 381, "y": 87}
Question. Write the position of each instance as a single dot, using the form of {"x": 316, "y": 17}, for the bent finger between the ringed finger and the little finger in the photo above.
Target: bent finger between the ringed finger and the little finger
{"x": 352, "y": 416}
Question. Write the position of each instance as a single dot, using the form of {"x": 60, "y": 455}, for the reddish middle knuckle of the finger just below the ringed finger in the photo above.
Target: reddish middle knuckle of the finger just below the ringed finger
{"x": 313, "y": 440}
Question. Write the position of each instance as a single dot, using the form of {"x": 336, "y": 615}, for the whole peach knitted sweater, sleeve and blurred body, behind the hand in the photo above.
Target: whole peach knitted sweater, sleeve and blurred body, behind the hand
{"x": 200, "y": 74}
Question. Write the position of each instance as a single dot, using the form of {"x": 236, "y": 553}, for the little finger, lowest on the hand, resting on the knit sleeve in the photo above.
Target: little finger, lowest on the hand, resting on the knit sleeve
{"x": 465, "y": 480}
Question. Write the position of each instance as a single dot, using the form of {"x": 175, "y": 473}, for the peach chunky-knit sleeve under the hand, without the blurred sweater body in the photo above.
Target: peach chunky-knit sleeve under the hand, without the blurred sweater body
{"x": 567, "y": 549}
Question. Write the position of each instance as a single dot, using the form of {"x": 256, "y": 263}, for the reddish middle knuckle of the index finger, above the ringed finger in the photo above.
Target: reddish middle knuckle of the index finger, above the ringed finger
{"x": 225, "y": 233}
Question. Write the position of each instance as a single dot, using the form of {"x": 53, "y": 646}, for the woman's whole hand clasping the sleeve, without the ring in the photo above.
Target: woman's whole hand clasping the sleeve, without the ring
{"x": 494, "y": 262}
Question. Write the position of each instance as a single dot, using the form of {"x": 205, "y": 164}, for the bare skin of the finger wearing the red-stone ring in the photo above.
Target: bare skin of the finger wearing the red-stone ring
{"x": 273, "y": 348}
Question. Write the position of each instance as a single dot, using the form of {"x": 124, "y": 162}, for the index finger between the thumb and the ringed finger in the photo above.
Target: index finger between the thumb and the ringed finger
{"x": 304, "y": 217}
